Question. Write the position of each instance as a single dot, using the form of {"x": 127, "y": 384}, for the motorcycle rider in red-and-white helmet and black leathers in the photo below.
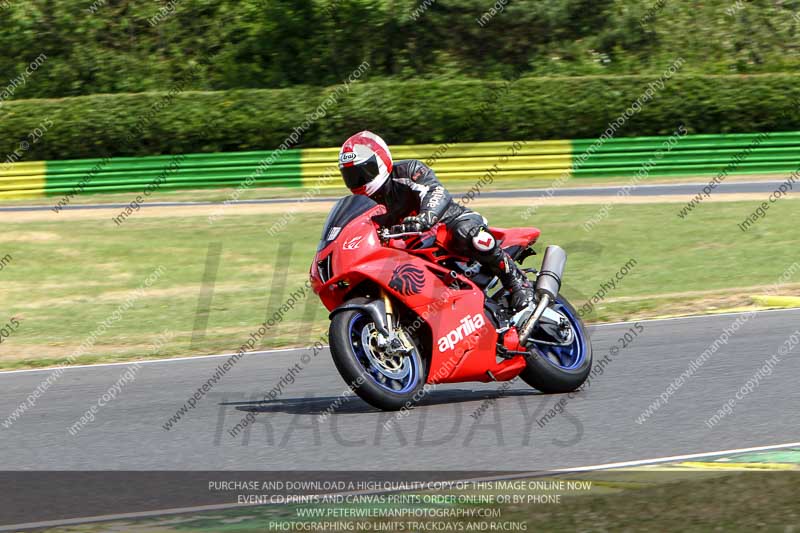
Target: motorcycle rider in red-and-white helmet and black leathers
{"x": 415, "y": 200}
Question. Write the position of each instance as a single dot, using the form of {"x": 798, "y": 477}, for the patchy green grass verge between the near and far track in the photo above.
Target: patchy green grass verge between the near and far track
{"x": 65, "y": 278}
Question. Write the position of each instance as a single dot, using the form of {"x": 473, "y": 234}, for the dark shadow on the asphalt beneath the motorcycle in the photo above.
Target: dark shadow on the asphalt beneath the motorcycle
{"x": 317, "y": 406}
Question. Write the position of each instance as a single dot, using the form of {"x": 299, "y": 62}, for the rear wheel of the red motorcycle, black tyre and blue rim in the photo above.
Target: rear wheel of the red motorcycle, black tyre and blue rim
{"x": 553, "y": 369}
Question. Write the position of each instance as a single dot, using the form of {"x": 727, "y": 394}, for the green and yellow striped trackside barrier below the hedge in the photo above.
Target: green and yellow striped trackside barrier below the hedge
{"x": 531, "y": 162}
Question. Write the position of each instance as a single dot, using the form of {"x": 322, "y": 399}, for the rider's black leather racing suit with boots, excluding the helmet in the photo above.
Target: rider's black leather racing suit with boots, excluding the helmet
{"x": 413, "y": 189}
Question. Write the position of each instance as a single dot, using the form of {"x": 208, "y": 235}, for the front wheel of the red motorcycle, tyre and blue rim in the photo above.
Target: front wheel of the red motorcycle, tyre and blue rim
{"x": 386, "y": 382}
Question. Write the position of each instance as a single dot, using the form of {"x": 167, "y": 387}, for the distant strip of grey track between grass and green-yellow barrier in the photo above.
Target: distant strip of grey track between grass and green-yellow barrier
{"x": 689, "y": 189}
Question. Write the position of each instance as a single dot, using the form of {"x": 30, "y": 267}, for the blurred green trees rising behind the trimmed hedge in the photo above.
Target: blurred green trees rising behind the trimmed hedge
{"x": 105, "y": 46}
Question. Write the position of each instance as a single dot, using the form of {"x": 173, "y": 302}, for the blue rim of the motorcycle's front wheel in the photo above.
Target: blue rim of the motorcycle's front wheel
{"x": 376, "y": 374}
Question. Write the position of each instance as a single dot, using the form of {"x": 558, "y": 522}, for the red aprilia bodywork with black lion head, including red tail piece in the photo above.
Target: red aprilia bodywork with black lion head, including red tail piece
{"x": 464, "y": 340}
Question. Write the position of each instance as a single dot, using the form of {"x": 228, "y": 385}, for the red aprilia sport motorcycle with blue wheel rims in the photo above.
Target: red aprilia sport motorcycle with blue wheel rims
{"x": 406, "y": 312}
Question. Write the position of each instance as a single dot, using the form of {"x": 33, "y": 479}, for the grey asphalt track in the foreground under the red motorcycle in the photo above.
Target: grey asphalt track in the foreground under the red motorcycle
{"x": 597, "y": 426}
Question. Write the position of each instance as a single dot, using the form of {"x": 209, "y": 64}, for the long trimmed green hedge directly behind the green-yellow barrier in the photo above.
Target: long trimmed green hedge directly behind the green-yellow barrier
{"x": 403, "y": 112}
